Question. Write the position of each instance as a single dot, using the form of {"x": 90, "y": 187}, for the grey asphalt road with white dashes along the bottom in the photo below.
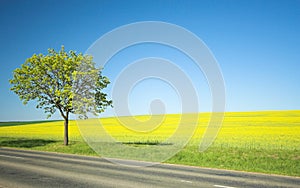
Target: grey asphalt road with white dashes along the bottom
{"x": 19, "y": 168}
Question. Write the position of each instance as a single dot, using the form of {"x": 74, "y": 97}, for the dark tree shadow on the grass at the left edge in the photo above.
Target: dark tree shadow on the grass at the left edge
{"x": 24, "y": 142}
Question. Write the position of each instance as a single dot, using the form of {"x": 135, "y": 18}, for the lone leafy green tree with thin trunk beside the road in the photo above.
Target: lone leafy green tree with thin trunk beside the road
{"x": 68, "y": 82}
